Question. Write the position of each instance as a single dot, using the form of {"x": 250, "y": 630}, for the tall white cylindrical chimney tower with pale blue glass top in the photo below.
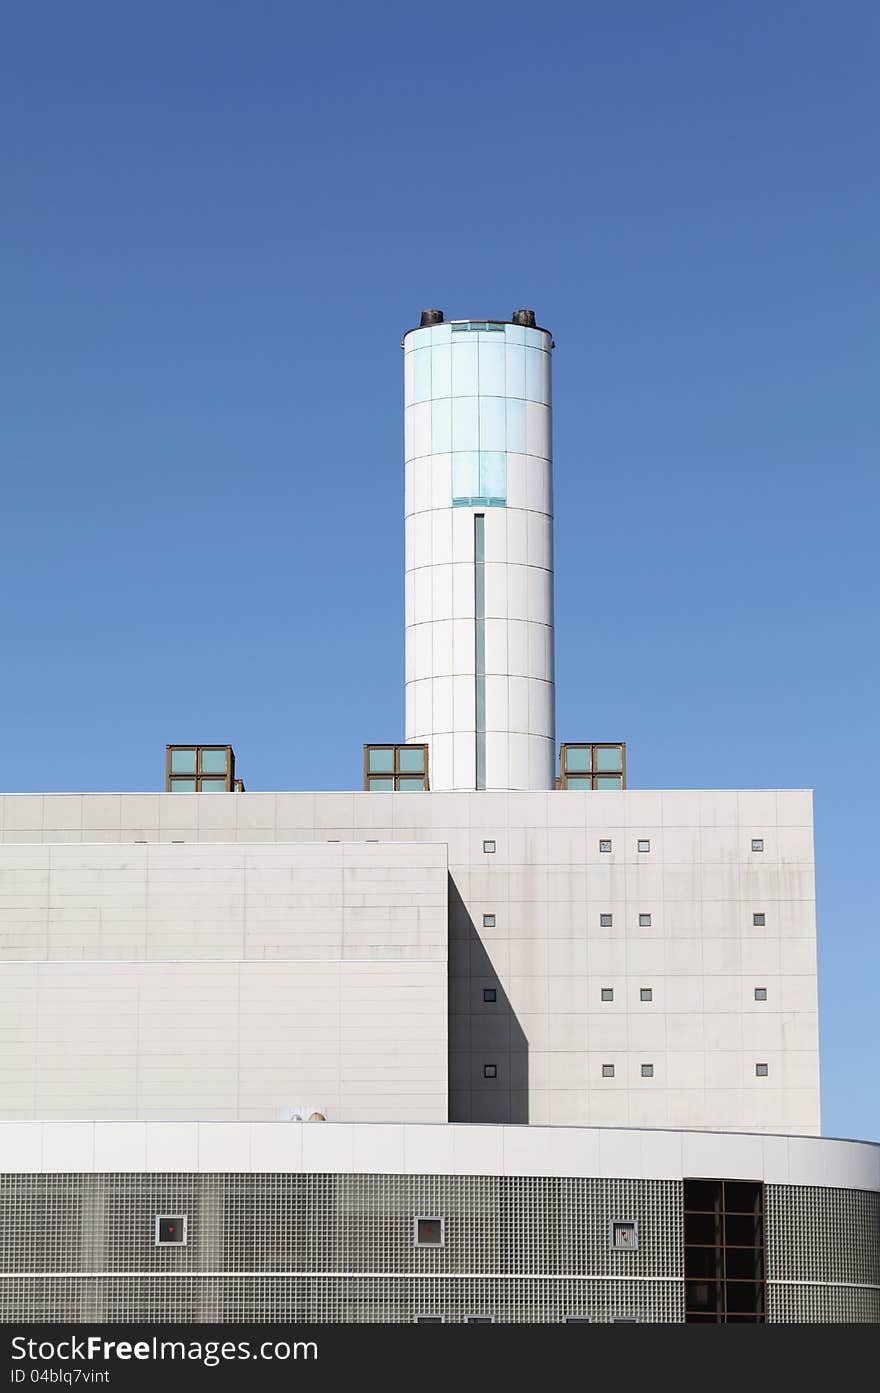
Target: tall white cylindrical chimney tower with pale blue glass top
{"x": 480, "y": 552}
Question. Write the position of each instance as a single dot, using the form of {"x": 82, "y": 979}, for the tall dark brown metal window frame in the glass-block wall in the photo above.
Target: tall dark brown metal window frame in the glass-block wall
{"x": 721, "y": 1249}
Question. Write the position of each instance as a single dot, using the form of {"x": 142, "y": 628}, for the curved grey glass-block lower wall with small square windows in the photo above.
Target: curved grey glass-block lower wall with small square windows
{"x": 340, "y": 1247}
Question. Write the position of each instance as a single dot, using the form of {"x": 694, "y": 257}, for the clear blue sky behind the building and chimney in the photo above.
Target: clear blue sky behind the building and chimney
{"x": 218, "y": 222}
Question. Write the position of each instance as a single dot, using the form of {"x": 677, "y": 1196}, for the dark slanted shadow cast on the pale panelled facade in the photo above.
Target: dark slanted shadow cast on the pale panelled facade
{"x": 482, "y": 1034}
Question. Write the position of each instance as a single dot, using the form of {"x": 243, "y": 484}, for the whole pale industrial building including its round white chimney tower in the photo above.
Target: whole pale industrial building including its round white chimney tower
{"x": 496, "y": 1037}
